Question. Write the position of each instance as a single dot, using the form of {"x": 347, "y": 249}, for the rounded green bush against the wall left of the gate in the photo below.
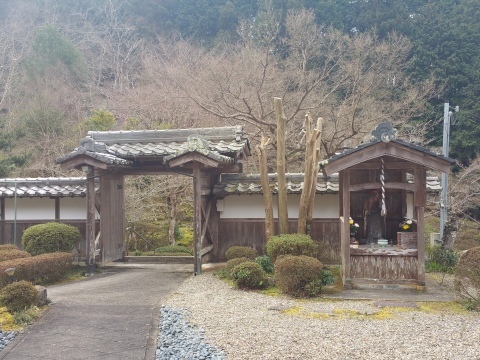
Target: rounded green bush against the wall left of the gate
{"x": 49, "y": 238}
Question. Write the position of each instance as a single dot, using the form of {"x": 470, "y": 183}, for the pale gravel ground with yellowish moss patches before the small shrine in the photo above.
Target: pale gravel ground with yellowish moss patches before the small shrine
{"x": 249, "y": 325}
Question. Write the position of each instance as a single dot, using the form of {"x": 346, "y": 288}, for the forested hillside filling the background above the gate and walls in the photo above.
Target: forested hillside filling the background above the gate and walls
{"x": 68, "y": 66}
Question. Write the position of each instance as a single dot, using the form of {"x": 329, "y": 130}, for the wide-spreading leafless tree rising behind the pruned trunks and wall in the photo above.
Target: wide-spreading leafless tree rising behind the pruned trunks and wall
{"x": 355, "y": 82}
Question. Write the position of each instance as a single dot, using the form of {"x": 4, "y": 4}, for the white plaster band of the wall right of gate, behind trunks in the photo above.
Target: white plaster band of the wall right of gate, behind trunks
{"x": 252, "y": 207}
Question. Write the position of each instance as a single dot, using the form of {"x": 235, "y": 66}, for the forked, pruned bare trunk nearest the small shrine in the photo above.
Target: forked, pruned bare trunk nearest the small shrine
{"x": 310, "y": 175}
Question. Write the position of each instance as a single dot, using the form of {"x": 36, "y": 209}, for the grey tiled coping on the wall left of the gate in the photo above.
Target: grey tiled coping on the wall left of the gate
{"x": 43, "y": 187}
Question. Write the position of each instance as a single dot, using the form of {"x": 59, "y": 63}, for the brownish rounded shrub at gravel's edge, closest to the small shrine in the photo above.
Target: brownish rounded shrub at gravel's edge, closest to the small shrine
{"x": 299, "y": 276}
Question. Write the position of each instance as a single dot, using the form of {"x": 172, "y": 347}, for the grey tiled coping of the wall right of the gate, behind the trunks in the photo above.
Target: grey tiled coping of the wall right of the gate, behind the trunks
{"x": 240, "y": 184}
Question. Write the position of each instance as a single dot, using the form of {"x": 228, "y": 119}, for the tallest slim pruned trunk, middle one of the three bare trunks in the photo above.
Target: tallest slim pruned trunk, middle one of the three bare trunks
{"x": 282, "y": 183}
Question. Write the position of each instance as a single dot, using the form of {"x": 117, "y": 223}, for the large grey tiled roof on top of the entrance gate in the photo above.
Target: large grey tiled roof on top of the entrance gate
{"x": 224, "y": 144}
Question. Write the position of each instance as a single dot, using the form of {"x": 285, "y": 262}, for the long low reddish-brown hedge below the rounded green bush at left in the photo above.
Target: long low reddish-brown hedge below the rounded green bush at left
{"x": 45, "y": 268}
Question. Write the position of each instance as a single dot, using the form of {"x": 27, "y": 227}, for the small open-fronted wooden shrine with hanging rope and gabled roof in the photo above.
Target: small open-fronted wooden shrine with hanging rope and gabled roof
{"x": 375, "y": 181}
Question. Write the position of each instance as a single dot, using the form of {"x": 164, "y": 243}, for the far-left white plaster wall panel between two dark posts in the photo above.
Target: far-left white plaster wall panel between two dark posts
{"x": 30, "y": 209}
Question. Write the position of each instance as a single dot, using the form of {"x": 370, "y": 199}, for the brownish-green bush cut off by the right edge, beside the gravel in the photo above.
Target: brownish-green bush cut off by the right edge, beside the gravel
{"x": 467, "y": 278}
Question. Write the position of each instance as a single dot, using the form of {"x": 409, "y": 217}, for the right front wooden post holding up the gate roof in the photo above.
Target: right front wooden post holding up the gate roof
{"x": 197, "y": 218}
